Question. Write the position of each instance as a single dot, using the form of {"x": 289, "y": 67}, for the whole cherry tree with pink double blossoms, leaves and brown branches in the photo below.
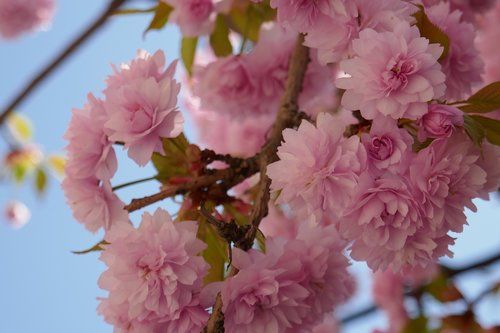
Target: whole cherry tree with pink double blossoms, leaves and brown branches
{"x": 329, "y": 131}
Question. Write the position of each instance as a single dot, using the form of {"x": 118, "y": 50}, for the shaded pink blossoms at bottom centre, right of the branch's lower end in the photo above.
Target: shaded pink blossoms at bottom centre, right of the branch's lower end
{"x": 290, "y": 287}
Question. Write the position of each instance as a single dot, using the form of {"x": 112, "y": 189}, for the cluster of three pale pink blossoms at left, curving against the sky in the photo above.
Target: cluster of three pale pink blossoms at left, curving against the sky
{"x": 139, "y": 110}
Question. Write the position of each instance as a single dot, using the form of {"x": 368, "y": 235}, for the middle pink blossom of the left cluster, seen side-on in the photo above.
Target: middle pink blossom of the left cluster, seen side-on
{"x": 90, "y": 153}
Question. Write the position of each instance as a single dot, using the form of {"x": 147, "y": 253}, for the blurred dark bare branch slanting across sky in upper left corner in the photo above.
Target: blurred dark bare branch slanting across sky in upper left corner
{"x": 72, "y": 47}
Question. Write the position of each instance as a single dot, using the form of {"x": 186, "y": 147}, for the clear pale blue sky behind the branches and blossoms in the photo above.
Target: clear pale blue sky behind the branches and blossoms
{"x": 43, "y": 286}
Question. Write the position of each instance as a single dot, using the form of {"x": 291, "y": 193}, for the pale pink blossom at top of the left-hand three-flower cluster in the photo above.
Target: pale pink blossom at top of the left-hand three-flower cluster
{"x": 142, "y": 107}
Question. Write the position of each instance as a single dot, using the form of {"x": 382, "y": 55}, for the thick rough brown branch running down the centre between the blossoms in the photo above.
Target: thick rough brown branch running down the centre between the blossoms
{"x": 288, "y": 116}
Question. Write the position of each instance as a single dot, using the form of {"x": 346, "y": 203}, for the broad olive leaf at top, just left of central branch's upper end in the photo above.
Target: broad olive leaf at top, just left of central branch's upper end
{"x": 247, "y": 21}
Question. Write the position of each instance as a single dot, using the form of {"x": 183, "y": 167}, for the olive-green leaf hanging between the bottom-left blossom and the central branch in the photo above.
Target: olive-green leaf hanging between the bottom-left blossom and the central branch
{"x": 216, "y": 252}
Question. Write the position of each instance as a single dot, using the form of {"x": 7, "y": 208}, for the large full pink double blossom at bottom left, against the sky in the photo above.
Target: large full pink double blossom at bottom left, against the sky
{"x": 154, "y": 276}
